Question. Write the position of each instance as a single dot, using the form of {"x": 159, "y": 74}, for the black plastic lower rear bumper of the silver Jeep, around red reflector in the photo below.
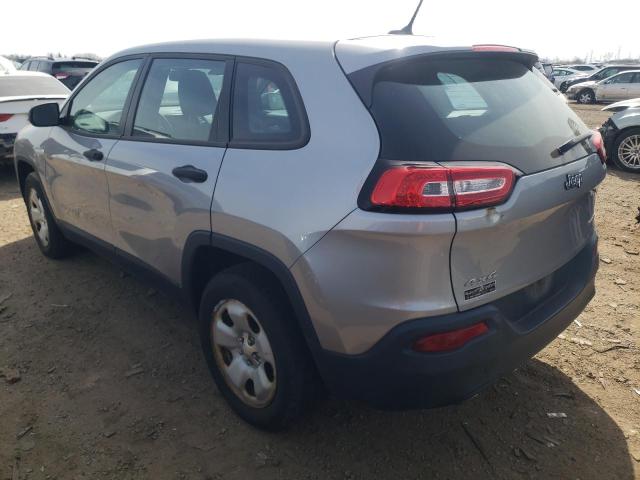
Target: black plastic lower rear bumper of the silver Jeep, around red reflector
{"x": 392, "y": 375}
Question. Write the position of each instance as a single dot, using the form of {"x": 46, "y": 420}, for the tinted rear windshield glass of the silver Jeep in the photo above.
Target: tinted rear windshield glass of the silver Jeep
{"x": 471, "y": 109}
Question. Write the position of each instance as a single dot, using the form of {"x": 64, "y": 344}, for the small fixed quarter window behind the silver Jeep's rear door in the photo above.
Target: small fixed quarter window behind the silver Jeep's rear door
{"x": 267, "y": 109}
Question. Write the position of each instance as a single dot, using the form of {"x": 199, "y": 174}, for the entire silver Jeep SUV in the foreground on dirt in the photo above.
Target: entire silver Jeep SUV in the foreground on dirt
{"x": 405, "y": 240}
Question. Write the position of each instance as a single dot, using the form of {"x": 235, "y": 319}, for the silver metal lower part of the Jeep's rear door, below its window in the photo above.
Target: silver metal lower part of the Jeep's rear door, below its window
{"x": 152, "y": 211}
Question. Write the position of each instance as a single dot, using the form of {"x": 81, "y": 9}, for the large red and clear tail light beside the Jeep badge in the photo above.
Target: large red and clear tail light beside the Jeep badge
{"x": 442, "y": 188}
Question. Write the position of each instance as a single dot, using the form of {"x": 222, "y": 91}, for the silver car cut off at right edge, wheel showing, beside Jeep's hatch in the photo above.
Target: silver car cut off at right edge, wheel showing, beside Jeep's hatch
{"x": 621, "y": 133}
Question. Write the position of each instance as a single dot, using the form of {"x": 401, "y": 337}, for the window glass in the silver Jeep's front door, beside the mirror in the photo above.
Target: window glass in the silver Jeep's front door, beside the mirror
{"x": 98, "y": 107}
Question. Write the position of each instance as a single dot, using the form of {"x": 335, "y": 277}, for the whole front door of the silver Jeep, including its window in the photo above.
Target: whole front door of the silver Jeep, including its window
{"x": 76, "y": 151}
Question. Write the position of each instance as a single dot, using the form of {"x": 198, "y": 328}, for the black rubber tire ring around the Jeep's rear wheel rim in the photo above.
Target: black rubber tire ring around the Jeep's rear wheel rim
{"x": 273, "y": 320}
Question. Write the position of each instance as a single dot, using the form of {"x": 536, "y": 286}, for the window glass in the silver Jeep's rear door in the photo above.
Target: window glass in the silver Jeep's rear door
{"x": 179, "y": 100}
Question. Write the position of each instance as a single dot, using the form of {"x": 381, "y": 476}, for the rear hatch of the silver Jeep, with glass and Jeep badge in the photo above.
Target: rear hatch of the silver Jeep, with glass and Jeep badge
{"x": 478, "y": 109}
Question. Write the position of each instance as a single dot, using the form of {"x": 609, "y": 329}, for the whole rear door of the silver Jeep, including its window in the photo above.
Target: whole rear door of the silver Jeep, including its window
{"x": 162, "y": 175}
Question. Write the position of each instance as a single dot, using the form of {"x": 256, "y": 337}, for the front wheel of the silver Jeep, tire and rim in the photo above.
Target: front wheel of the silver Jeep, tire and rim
{"x": 49, "y": 238}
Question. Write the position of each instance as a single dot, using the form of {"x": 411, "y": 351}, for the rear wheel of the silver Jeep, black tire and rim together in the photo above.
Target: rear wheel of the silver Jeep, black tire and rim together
{"x": 284, "y": 390}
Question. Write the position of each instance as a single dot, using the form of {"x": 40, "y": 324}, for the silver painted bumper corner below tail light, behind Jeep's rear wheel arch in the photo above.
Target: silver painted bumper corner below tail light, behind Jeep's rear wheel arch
{"x": 374, "y": 271}
